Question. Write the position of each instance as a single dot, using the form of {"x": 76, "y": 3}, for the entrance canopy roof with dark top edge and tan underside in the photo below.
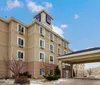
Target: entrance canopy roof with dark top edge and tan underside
{"x": 83, "y": 56}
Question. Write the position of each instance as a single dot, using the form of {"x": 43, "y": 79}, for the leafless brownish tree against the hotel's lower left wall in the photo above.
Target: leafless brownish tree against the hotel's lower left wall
{"x": 14, "y": 65}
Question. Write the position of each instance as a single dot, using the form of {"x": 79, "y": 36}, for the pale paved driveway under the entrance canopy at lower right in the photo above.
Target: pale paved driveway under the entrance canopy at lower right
{"x": 79, "y": 82}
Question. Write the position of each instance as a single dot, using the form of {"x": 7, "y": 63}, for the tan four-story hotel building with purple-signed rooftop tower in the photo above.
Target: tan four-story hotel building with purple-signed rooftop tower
{"x": 32, "y": 43}
